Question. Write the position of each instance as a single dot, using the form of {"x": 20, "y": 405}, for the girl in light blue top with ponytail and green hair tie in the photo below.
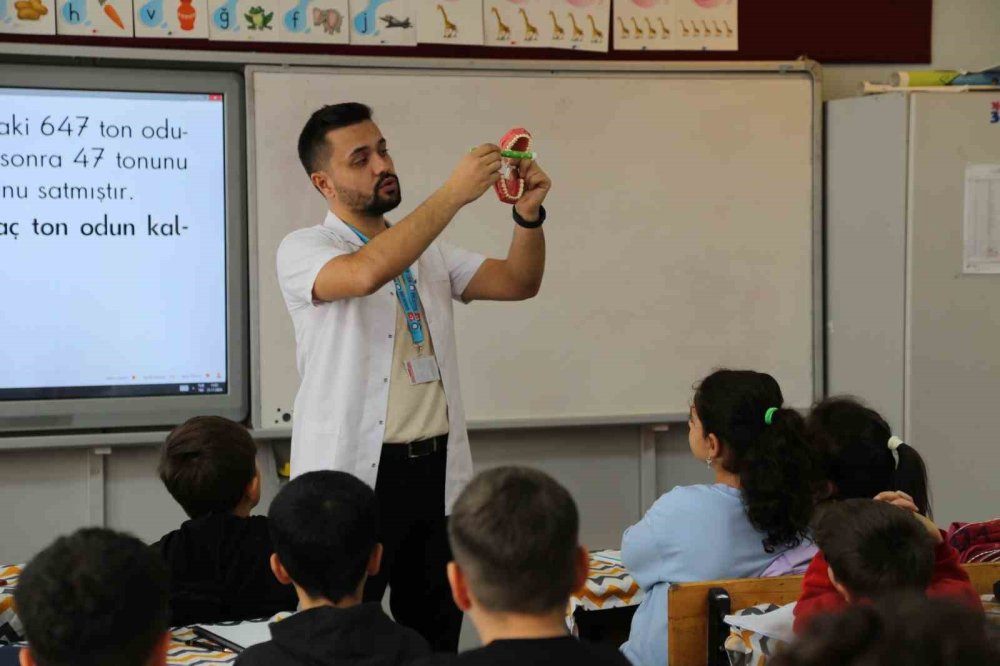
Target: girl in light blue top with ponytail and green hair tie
{"x": 765, "y": 481}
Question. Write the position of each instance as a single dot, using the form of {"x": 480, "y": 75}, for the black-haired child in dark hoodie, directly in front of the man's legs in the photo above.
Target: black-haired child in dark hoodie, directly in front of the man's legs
{"x": 324, "y": 527}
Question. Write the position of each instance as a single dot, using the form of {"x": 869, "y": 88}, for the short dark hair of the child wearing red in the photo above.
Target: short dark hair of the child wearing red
{"x": 874, "y": 547}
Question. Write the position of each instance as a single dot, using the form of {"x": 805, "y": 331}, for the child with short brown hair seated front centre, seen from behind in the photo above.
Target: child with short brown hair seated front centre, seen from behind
{"x": 514, "y": 536}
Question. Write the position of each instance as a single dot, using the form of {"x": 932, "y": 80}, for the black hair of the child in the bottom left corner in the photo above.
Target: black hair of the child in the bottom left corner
{"x": 94, "y": 598}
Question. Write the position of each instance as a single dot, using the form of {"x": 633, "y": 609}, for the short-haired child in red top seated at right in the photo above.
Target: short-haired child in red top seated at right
{"x": 872, "y": 548}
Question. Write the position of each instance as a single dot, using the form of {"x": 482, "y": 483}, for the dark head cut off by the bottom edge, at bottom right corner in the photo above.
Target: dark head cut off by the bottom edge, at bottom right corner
{"x": 908, "y": 629}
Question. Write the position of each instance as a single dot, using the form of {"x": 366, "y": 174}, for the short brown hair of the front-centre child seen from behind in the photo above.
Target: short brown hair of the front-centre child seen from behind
{"x": 514, "y": 532}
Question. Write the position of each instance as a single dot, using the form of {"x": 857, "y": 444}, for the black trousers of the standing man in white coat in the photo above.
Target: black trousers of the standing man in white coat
{"x": 414, "y": 534}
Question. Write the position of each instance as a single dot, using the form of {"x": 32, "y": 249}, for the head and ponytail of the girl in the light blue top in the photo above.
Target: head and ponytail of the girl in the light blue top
{"x": 739, "y": 425}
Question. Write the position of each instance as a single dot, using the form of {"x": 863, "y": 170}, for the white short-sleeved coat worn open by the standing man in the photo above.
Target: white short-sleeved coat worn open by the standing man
{"x": 344, "y": 354}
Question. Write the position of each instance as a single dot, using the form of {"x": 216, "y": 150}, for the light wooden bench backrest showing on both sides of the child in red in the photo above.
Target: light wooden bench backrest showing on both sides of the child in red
{"x": 687, "y": 604}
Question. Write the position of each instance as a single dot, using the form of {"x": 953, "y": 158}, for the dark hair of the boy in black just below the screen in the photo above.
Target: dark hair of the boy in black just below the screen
{"x": 207, "y": 463}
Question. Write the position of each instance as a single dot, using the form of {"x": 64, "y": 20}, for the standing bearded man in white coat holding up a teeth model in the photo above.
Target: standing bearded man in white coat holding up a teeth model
{"x": 372, "y": 308}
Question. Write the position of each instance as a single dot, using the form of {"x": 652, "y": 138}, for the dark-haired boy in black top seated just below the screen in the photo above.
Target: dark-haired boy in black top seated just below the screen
{"x": 219, "y": 559}
